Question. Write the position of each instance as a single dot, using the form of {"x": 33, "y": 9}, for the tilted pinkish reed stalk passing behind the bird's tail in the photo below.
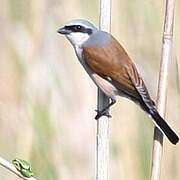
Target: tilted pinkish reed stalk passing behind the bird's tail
{"x": 162, "y": 87}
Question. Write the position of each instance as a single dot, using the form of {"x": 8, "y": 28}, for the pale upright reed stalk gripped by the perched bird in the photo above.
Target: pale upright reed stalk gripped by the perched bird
{"x": 102, "y": 159}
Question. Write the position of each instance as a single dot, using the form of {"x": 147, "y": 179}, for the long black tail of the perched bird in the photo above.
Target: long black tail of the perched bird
{"x": 164, "y": 127}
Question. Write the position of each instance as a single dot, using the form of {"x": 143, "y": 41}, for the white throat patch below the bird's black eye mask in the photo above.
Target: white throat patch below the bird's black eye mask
{"x": 77, "y": 38}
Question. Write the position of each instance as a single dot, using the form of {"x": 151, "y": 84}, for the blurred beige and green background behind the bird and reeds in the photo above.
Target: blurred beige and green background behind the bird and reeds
{"x": 47, "y": 101}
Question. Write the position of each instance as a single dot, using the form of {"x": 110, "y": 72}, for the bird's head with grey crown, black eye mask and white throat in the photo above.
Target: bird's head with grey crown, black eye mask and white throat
{"x": 78, "y": 31}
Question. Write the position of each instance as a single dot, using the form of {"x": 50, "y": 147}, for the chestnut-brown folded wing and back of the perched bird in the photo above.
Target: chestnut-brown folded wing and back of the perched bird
{"x": 113, "y": 61}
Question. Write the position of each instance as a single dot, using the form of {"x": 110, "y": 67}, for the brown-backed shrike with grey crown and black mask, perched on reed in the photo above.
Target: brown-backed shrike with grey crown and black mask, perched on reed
{"x": 112, "y": 70}
